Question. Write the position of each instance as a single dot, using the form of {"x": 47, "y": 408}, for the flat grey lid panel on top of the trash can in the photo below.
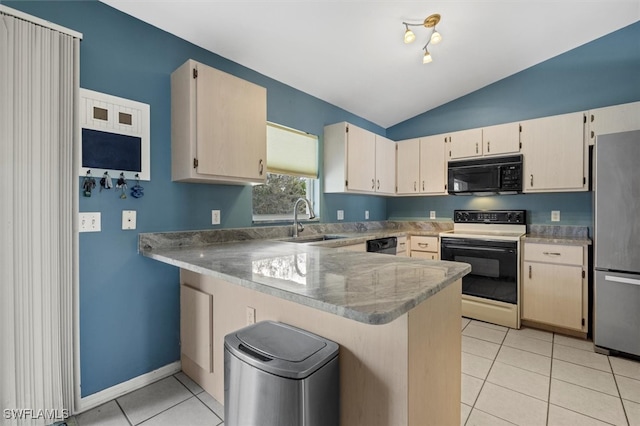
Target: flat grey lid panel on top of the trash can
{"x": 280, "y": 341}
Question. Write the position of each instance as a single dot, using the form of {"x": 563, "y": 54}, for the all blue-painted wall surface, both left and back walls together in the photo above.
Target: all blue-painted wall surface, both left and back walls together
{"x": 129, "y": 305}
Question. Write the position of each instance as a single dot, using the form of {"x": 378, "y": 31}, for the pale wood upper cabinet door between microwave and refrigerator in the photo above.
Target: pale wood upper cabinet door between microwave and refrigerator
{"x": 554, "y": 151}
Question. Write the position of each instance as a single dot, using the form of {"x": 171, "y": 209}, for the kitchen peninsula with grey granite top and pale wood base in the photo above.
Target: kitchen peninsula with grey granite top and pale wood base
{"x": 397, "y": 319}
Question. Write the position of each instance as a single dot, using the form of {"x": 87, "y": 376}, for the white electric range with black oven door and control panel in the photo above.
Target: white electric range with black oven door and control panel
{"x": 488, "y": 240}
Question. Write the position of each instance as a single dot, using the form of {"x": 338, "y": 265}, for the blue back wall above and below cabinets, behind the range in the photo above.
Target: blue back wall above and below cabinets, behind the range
{"x": 603, "y": 72}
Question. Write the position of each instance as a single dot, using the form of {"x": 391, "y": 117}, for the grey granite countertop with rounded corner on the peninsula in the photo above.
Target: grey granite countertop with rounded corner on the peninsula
{"x": 366, "y": 287}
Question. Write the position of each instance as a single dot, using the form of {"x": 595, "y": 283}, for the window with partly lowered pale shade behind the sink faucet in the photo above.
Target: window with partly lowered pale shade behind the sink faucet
{"x": 292, "y": 173}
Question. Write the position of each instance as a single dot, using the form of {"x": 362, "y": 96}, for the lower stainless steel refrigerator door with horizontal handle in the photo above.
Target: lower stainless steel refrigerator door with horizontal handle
{"x": 617, "y": 311}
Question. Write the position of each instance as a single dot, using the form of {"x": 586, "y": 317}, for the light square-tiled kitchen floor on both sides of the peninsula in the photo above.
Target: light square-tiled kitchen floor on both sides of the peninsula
{"x": 521, "y": 377}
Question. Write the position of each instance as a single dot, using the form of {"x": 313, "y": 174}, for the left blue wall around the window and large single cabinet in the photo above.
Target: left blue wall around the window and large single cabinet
{"x": 129, "y": 305}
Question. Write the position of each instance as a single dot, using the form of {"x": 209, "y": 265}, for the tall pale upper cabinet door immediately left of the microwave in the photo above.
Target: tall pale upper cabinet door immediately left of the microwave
{"x": 433, "y": 165}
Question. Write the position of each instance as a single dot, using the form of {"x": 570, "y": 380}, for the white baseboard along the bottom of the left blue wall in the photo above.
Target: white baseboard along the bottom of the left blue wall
{"x": 99, "y": 398}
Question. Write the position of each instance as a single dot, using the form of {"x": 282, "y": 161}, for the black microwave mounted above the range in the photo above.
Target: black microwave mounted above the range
{"x": 496, "y": 175}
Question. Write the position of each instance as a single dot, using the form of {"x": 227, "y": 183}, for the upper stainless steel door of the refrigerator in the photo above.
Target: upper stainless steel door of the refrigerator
{"x": 617, "y": 202}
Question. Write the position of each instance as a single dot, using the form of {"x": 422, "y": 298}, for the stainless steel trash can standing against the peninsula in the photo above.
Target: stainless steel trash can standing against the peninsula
{"x": 276, "y": 374}
